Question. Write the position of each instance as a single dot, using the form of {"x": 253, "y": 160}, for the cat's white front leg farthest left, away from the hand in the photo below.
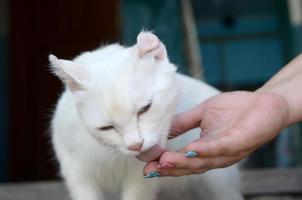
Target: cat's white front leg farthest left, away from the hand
{"x": 81, "y": 182}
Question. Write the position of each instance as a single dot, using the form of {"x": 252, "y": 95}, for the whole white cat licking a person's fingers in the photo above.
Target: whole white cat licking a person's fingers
{"x": 119, "y": 102}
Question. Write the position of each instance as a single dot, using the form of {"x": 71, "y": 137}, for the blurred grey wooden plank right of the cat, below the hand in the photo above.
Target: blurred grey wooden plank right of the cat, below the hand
{"x": 272, "y": 181}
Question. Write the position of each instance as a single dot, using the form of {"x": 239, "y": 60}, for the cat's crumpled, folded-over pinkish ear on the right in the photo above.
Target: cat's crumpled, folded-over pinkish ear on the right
{"x": 148, "y": 44}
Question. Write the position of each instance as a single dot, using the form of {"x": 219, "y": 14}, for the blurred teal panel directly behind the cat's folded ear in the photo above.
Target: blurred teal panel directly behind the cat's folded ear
{"x": 161, "y": 17}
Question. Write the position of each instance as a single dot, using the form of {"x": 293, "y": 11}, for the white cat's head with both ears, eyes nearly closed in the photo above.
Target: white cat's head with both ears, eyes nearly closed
{"x": 125, "y": 96}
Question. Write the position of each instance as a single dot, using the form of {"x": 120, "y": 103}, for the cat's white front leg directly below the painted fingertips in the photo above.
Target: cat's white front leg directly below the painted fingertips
{"x": 136, "y": 187}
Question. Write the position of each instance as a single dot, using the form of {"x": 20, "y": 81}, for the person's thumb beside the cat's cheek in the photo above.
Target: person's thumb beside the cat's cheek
{"x": 186, "y": 121}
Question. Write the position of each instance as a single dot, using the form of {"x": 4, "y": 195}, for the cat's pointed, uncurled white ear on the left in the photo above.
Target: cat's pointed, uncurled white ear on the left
{"x": 75, "y": 76}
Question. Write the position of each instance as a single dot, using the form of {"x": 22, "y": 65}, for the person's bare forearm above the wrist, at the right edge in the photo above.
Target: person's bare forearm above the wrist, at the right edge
{"x": 288, "y": 83}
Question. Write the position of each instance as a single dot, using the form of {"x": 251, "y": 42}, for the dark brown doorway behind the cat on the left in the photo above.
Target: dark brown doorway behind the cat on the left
{"x": 38, "y": 28}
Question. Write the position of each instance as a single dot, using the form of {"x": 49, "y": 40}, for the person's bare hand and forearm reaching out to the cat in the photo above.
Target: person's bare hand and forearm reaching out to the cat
{"x": 233, "y": 124}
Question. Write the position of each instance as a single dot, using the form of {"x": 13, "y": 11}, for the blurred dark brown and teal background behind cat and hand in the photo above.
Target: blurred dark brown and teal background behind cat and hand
{"x": 227, "y": 43}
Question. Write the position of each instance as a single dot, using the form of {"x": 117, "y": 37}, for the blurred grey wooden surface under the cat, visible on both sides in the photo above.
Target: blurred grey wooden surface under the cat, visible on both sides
{"x": 276, "y": 184}
